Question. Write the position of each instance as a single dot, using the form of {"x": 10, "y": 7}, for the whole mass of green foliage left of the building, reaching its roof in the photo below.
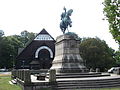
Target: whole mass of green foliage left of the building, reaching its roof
{"x": 9, "y": 46}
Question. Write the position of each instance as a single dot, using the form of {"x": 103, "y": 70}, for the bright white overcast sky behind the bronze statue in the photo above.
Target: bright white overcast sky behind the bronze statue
{"x": 34, "y": 15}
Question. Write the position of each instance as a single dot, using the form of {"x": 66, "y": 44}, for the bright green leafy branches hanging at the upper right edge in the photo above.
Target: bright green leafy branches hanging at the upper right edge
{"x": 112, "y": 13}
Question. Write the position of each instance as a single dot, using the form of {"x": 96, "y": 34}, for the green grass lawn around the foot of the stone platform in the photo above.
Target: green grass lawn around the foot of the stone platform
{"x": 5, "y": 85}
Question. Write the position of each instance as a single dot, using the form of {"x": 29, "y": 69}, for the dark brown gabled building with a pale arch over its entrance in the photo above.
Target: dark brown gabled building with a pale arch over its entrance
{"x": 38, "y": 54}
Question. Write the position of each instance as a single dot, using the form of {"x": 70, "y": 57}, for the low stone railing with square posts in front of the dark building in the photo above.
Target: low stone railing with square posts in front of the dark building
{"x": 25, "y": 75}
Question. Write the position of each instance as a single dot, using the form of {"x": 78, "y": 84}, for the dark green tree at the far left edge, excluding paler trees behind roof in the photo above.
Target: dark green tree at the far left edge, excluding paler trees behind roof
{"x": 9, "y": 48}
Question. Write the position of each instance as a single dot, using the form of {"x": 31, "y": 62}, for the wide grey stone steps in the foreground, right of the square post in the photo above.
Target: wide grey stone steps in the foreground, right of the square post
{"x": 83, "y": 84}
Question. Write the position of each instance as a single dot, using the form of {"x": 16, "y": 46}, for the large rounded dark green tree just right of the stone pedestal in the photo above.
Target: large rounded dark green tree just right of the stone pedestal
{"x": 96, "y": 53}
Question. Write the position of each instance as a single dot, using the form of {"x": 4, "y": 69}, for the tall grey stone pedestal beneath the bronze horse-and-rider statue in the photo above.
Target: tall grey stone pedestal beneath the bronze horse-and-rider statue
{"x": 67, "y": 58}
